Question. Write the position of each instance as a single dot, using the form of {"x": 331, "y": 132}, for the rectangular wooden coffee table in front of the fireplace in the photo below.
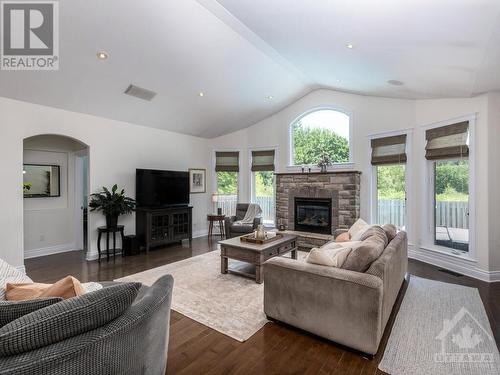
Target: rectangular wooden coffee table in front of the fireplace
{"x": 255, "y": 254}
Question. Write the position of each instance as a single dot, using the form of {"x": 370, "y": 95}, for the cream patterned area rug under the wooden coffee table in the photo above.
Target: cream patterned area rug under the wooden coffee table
{"x": 228, "y": 303}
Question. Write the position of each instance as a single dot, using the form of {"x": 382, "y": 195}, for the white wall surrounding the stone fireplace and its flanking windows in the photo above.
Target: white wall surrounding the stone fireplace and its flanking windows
{"x": 371, "y": 115}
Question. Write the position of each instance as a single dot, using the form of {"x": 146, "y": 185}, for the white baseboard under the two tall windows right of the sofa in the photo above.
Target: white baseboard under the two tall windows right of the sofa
{"x": 454, "y": 264}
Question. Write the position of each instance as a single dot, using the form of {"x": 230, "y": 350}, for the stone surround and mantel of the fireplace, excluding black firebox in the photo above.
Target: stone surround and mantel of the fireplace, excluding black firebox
{"x": 343, "y": 187}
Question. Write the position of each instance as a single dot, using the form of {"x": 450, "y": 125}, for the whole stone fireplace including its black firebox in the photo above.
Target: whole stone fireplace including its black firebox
{"x": 317, "y": 202}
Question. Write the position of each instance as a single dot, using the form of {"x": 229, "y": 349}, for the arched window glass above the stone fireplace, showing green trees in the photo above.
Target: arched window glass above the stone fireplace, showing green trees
{"x": 318, "y": 133}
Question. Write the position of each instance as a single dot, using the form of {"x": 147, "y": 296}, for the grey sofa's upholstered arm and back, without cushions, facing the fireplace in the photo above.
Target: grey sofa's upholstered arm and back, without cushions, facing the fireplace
{"x": 348, "y": 307}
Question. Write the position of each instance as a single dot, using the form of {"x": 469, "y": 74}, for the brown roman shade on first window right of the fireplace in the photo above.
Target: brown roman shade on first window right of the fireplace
{"x": 389, "y": 150}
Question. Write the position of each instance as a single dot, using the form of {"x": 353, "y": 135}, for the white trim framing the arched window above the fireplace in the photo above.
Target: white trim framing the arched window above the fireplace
{"x": 314, "y": 168}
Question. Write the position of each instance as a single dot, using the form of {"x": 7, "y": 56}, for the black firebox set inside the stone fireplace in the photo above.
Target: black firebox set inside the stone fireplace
{"x": 313, "y": 215}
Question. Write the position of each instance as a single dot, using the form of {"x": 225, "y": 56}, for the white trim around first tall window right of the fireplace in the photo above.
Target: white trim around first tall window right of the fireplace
{"x": 408, "y": 178}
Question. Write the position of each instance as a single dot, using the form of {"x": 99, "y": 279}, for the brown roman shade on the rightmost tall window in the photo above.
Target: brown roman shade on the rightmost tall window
{"x": 448, "y": 141}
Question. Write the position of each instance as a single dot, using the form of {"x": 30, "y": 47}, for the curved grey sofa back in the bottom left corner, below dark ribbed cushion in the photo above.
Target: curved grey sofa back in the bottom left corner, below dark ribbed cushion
{"x": 135, "y": 342}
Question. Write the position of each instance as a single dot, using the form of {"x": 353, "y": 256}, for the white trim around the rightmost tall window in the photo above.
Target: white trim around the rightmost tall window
{"x": 428, "y": 220}
